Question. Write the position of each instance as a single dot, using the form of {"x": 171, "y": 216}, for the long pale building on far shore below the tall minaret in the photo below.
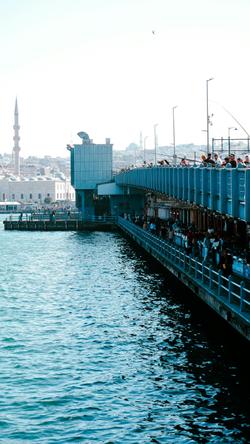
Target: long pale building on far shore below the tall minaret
{"x": 39, "y": 189}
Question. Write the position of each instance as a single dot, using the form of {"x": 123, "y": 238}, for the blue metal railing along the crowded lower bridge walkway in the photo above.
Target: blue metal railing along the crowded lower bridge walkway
{"x": 231, "y": 291}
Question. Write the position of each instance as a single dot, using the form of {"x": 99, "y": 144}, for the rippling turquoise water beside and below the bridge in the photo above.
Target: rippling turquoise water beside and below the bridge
{"x": 95, "y": 346}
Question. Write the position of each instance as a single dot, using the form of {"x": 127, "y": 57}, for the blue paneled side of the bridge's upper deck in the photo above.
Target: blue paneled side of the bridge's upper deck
{"x": 225, "y": 190}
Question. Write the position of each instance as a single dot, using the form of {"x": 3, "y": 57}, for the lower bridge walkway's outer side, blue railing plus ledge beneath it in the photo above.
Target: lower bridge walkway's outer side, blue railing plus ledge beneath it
{"x": 227, "y": 296}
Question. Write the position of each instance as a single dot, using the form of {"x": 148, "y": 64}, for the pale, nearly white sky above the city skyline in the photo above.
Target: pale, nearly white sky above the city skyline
{"x": 96, "y": 66}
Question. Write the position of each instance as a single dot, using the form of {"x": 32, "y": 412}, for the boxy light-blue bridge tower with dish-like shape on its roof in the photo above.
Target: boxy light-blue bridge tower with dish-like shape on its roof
{"x": 91, "y": 164}
